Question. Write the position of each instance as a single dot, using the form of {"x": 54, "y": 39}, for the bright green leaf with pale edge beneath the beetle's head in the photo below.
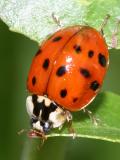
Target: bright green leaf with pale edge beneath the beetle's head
{"x": 106, "y": 107}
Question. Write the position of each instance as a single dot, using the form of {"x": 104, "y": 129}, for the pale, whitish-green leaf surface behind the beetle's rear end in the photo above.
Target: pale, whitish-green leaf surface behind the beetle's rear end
{"x": 33, "y": 18}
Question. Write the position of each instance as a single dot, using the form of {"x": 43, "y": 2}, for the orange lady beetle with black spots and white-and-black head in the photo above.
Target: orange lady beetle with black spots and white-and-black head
{"x": 66, "y": 74}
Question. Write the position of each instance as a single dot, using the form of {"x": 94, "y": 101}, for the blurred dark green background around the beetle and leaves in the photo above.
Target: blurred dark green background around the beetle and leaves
{"x": 16, "y": 52}
